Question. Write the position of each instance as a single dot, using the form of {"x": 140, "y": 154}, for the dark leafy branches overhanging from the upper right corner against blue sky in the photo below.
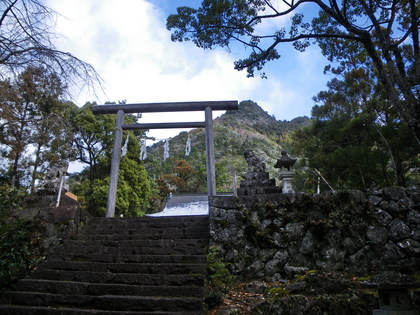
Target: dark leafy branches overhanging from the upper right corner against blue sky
{"x": 386, "y": 33}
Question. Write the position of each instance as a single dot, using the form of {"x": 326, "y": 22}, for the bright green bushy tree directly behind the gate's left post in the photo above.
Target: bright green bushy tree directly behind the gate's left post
{"x": 93, "y": 140}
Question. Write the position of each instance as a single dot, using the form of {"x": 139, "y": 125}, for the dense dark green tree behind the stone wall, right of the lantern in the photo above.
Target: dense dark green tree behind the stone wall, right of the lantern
{"x": 353, "y": 141}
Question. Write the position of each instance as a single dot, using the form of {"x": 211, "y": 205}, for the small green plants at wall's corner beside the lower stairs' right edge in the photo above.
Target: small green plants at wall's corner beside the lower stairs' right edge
{"x": 219, "y": 277}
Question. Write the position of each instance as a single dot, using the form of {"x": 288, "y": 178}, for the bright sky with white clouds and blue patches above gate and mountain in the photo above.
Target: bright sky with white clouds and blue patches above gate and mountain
{"x": 129, "y": 46}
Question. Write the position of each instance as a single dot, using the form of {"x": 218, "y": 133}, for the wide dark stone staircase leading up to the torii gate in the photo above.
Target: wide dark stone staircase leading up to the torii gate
{"x": 149, "y": 265}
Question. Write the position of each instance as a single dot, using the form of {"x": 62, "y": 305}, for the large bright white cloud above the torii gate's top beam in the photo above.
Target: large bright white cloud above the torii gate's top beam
{"x": 130, "y": 47}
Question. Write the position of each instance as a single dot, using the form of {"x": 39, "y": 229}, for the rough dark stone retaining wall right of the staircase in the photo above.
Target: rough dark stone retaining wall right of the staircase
{"x": 273, "y": 236}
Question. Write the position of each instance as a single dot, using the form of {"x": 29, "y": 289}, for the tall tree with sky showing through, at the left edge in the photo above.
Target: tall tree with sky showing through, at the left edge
{"x": 34, "y": 122}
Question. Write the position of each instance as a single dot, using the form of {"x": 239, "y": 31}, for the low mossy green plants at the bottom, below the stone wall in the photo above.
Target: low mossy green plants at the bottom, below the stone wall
{"x": 319, "y": 293}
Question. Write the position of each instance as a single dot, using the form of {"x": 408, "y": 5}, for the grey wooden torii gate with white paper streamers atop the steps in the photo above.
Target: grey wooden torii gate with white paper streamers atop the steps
{"x": 121, "y": 109}
